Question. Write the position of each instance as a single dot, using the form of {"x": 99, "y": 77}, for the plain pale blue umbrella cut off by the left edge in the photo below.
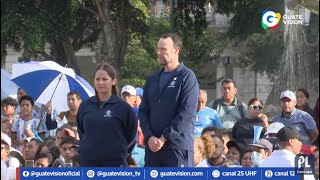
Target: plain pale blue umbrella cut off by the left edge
{"x": 8, "y": 88}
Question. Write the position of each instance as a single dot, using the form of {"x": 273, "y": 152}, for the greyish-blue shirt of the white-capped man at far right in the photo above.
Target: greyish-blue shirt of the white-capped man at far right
{"x": 300, "y": 120}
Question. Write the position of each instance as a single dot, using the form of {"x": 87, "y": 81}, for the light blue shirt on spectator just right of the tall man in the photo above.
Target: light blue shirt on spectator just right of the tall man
{"x": 206, "y": 117}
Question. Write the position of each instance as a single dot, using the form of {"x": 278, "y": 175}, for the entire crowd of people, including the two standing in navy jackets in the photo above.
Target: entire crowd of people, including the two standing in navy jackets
{"x": 165, "y": 124}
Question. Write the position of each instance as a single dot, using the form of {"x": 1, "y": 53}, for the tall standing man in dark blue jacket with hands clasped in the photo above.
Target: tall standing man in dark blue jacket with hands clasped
{"x": 168, "y": 108}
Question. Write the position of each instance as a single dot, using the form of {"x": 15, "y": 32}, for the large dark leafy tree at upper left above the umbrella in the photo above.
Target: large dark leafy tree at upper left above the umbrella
{"x": 31, "y": 25}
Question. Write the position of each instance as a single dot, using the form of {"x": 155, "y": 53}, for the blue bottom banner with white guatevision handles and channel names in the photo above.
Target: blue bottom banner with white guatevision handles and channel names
{"x": 159, "y": 173}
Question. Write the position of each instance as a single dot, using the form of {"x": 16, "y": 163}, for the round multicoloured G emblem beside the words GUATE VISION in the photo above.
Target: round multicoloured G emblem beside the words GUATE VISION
{"x": 270, "y": 19}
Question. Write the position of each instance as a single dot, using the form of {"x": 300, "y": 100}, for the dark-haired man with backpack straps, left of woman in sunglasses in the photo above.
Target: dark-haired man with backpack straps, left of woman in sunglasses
{"x": 228, "y": 107}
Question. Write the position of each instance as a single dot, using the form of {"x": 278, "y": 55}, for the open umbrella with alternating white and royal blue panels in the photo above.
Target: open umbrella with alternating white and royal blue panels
{"x": 47, "y": 80}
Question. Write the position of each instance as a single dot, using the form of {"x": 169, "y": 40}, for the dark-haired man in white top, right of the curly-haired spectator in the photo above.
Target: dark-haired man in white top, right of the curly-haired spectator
{"x": 215, "y": 158}
